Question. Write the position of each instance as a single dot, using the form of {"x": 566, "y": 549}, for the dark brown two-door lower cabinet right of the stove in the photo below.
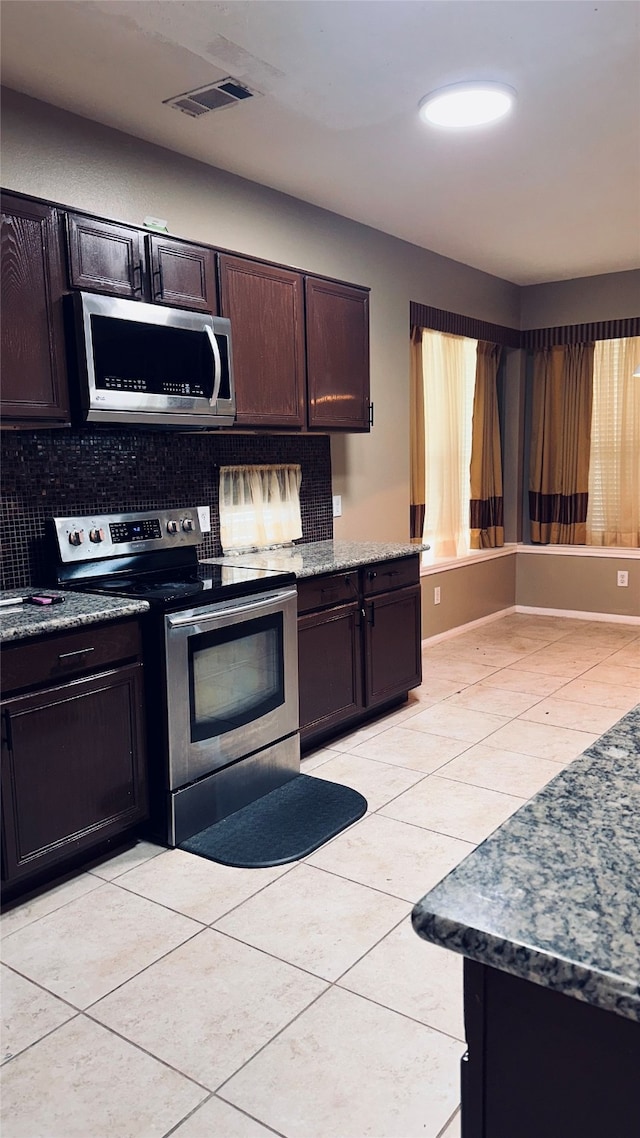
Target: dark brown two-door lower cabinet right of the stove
{"x": 359, "y": 650}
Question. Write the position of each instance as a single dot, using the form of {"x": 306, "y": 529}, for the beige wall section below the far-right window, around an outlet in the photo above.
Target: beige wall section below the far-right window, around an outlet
{"x": 579, "y": 584}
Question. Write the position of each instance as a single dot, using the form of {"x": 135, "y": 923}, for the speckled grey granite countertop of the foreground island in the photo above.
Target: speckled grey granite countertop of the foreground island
{"x": 554, "y": 895}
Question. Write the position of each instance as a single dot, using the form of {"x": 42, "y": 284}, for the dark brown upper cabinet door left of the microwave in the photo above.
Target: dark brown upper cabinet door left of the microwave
{"x": 35, "y": 383}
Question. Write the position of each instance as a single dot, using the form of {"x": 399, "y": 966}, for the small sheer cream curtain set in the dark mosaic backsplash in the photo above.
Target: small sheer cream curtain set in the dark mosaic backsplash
{"x": 259, "y": 507}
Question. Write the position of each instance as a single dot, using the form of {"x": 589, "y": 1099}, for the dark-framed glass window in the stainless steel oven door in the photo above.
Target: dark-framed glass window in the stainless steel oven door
{"x": 236, "y": 677}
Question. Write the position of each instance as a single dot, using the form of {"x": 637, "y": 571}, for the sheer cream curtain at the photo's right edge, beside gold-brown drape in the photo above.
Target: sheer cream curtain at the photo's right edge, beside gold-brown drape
{"x": 613, "y": 517}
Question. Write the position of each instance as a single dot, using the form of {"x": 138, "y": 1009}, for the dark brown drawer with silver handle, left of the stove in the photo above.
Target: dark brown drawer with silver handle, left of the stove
{"x": 42, "y": 662}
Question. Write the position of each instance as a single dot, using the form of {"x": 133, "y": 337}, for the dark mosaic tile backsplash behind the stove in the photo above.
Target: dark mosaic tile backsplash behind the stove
{"x": 63, "y": 473}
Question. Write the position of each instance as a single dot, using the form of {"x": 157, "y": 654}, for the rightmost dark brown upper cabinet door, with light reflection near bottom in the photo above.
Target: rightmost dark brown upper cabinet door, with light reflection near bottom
{"x": 338, "y": 356}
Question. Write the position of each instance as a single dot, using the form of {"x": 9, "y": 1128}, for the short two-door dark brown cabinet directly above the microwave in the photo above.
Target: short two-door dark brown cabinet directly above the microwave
{"x": 128, "y": 262}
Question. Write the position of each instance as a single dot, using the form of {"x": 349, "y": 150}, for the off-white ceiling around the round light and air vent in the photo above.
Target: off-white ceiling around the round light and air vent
{"x": 551, "y": 194}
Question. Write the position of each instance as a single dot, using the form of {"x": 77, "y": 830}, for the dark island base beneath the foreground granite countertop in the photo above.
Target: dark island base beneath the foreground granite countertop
{"x": 541, "y": 1063}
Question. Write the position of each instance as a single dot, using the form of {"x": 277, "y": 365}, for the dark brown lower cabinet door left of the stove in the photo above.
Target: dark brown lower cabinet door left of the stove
{"x": 73, "y": 769}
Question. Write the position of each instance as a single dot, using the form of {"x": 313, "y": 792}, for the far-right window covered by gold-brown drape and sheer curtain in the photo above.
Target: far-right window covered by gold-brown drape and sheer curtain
{"x": 585, "y": 469}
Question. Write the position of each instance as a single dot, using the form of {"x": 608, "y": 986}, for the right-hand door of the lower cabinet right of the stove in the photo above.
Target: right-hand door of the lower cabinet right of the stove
{"x": 393, "y": 662}
